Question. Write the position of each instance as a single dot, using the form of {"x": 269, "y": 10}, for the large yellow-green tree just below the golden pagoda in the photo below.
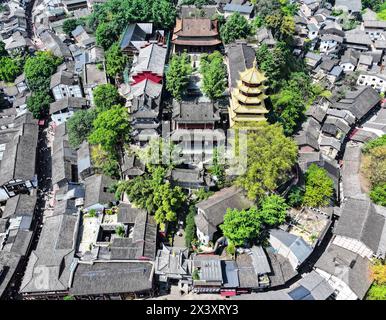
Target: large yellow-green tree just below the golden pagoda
{"x": 270, "y": 157}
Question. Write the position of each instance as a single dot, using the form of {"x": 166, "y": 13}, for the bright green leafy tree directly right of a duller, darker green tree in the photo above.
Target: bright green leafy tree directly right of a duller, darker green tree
{"x": 111, "y": 129}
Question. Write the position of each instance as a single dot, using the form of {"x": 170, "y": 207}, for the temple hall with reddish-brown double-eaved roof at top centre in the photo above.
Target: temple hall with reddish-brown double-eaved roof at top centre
{"x": 196, "y": 35}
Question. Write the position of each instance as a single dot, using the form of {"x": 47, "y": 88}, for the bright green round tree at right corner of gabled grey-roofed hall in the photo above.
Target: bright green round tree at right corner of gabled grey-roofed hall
{"x": 242, "y": 226}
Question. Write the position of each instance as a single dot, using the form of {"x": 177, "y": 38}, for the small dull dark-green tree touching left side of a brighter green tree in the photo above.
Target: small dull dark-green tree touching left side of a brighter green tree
{"x": 79, "y": 126}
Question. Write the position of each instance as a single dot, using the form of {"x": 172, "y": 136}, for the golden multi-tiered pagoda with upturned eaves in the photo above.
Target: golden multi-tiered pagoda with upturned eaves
{"x": 247, "y": 98}
